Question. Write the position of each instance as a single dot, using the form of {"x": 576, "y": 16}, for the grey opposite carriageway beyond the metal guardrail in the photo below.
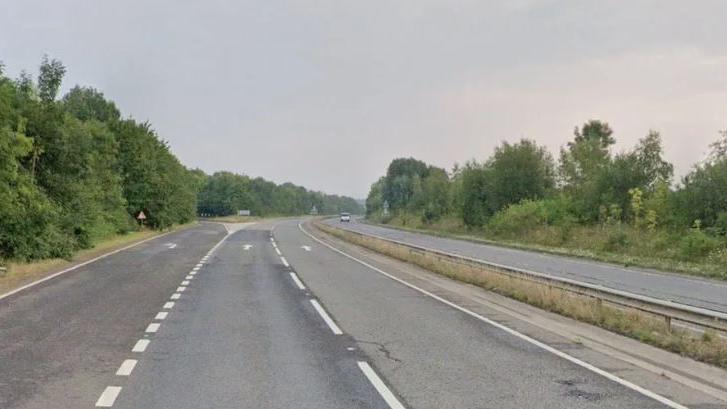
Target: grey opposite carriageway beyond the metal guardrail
{"x": 691, "y": 291}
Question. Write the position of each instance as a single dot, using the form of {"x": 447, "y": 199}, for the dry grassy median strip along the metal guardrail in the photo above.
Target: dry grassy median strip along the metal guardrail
{"x": 708, "y": 347}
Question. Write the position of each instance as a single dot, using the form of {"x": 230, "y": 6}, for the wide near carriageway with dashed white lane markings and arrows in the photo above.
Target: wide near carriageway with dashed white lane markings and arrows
{"x": 270, "y": 317}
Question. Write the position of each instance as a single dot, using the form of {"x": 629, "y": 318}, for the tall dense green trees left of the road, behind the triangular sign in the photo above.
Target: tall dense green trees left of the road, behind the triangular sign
{"x": 73, "y": 171}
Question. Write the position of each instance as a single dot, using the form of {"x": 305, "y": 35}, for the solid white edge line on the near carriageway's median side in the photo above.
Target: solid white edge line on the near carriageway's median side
{"x": 511, "y": 331}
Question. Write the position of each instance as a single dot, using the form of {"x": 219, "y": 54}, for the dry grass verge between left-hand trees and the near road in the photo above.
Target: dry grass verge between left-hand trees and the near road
{"x": 22, "y": 273}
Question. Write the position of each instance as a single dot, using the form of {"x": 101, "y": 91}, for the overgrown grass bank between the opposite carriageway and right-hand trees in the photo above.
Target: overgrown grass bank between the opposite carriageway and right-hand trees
{"x": 691, "y": 252}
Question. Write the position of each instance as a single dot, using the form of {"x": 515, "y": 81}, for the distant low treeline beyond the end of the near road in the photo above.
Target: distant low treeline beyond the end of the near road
{"x": 225, "y": 193}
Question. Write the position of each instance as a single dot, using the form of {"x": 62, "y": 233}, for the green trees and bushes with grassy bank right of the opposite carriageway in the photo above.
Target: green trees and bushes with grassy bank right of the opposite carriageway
{"x": 589, "y": 198}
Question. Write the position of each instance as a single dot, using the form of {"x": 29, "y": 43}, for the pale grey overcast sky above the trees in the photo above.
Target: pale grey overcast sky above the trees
{"x": 325, "y": 93}
